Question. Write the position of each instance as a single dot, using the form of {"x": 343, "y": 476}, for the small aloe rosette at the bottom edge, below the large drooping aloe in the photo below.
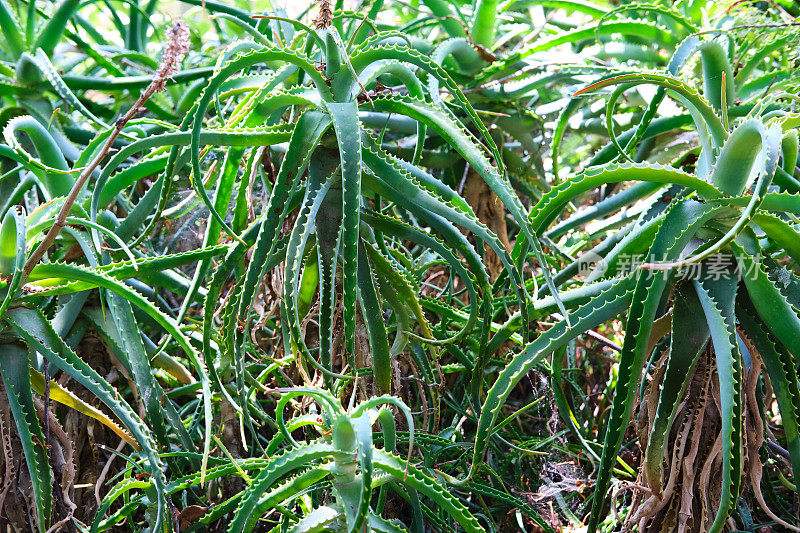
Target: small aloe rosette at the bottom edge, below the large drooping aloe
{"x": 355, "y": 463}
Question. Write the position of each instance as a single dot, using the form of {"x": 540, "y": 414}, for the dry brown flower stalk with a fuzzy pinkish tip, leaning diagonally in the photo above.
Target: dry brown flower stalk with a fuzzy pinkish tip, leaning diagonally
{"x": 174, "y": 49}
